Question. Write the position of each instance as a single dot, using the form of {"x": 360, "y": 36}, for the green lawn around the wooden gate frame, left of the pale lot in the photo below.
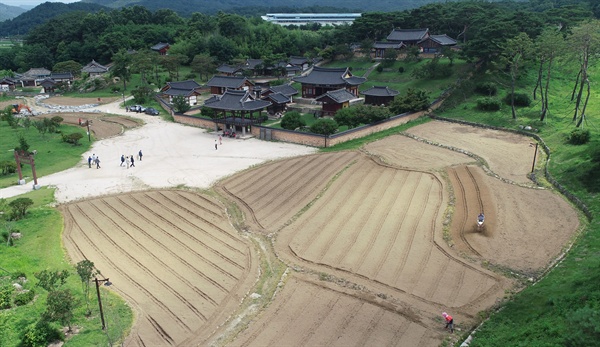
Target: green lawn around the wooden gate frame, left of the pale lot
{"x": 53, "y": 155}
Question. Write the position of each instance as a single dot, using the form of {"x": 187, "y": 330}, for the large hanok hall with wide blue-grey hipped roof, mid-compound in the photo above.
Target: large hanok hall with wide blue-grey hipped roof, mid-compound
{"x": 321, "y": 80}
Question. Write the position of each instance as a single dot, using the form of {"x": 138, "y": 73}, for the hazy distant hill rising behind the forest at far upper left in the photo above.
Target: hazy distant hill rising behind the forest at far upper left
{"x": 22, "y": 23}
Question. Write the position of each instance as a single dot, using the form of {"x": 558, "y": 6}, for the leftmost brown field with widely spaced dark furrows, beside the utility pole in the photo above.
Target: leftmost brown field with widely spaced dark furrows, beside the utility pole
{"x": 183, "y": 269}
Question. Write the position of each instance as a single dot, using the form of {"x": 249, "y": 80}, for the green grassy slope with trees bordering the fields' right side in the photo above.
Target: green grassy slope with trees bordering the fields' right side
{"x": 563, "y": 308}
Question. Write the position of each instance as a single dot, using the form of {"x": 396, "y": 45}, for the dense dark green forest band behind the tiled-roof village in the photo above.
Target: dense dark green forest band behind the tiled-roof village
{"x": 481, "y": 27}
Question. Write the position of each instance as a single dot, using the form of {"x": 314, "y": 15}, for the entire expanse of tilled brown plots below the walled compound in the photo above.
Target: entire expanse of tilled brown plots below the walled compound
{"x": 361, "y": 232}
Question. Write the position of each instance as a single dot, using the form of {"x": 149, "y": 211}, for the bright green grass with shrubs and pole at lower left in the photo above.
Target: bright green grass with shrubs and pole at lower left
{"x": 39, "y": 249}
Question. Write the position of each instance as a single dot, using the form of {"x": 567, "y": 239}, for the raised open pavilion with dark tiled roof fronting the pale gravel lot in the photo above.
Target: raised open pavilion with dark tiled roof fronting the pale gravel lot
{"x": 237, "y": 110}
